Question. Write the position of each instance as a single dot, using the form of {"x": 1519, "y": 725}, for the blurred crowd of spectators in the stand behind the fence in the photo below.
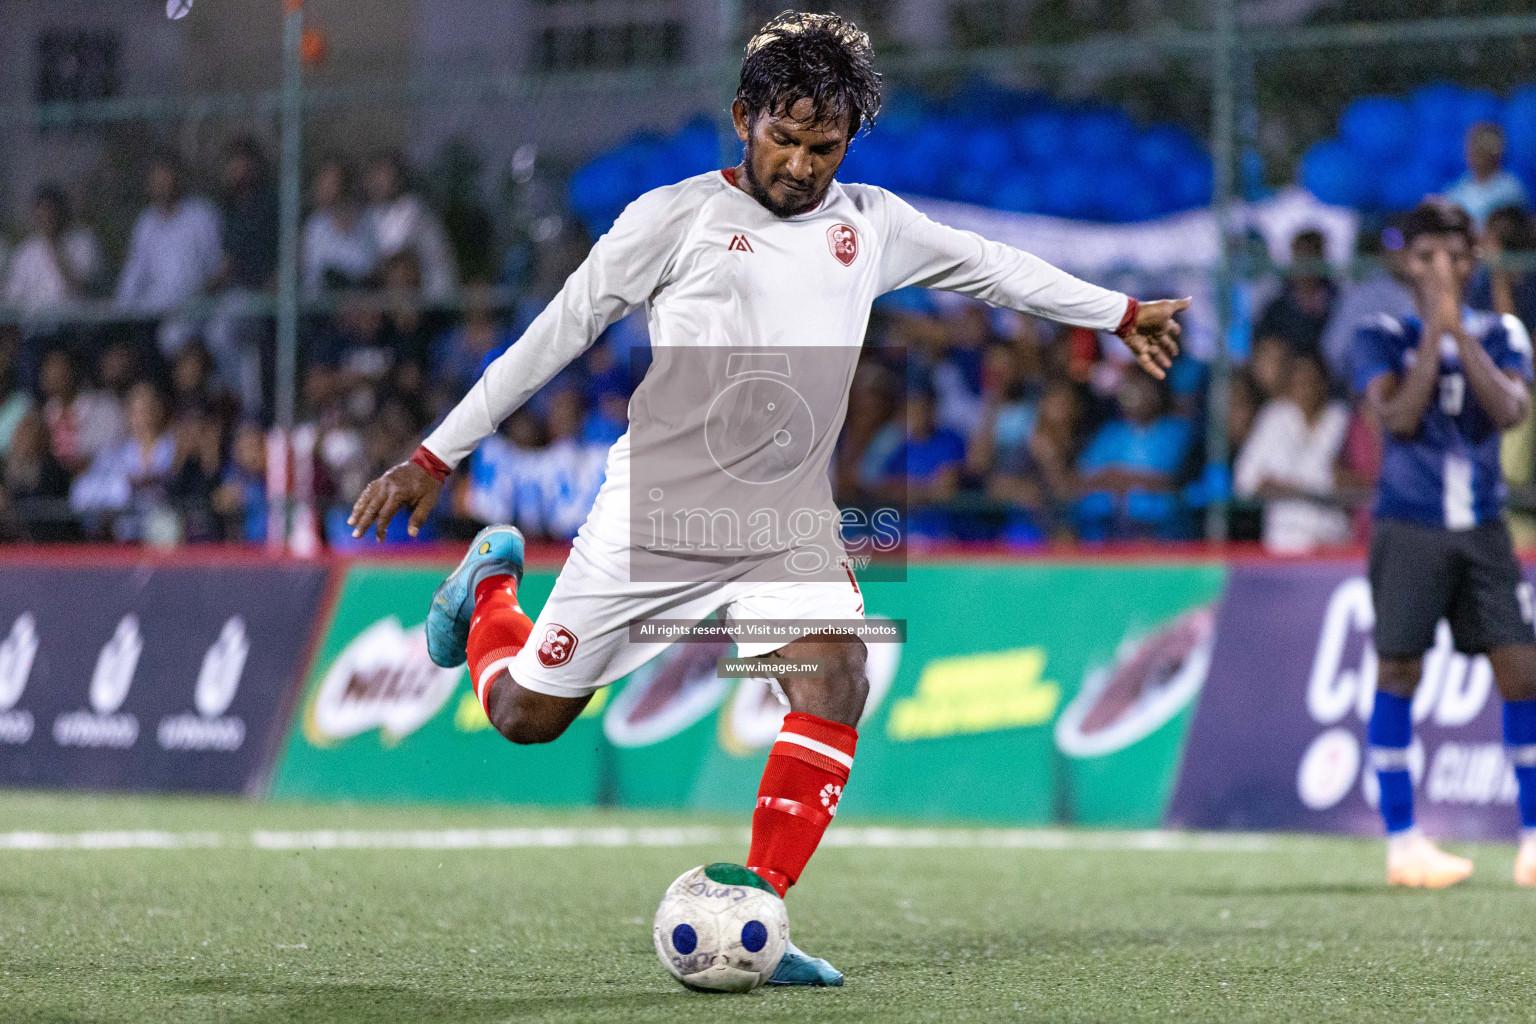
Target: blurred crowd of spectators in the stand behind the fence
{"x": 151, "y": 423}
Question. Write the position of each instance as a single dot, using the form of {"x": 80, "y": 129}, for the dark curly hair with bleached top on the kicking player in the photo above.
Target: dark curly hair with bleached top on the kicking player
{"x": 818, "y": 58}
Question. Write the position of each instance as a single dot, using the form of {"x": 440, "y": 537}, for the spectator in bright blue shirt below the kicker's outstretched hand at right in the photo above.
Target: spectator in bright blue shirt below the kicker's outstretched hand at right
{"x": 1127, "y": 477}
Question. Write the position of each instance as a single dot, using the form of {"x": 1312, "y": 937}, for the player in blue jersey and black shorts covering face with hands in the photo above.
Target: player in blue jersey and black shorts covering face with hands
{"x": 1446, "y": 385}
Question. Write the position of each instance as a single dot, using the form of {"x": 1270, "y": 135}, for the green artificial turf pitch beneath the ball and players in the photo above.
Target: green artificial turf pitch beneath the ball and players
{"x": 1296, "y": 930}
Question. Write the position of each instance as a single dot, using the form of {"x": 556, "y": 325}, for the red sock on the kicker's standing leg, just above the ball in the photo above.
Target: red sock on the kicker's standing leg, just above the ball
{"x": 803, "y": 784}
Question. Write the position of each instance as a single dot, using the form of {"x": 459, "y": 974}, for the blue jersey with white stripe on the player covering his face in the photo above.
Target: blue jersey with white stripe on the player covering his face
{"x": 1448, "y": 474}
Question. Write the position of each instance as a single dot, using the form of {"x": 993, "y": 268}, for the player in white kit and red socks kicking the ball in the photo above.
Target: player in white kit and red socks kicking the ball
{"x": 769, "y": 254}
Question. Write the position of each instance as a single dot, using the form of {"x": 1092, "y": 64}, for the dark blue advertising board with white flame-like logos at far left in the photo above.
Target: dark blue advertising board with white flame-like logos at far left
{"x": 150, "y": 678}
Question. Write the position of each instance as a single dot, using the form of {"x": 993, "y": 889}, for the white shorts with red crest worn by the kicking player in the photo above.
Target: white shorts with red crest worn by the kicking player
{"x": 581, "y": 641}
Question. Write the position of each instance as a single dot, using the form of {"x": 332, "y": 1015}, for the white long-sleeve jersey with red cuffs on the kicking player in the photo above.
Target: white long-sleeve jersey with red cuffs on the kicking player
{"x": 715, "y": 268}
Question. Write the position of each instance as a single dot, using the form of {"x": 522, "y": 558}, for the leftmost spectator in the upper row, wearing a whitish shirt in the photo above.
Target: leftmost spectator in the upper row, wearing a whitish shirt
{"x": 58, "y": 262}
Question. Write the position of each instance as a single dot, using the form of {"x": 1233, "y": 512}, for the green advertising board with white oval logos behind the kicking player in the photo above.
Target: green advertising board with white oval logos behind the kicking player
{"x": 1025, "y": 693}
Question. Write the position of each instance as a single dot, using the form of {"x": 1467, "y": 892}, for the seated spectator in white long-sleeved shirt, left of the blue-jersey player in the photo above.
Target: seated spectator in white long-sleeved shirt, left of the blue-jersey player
{"x": 1293, "y": 463}
